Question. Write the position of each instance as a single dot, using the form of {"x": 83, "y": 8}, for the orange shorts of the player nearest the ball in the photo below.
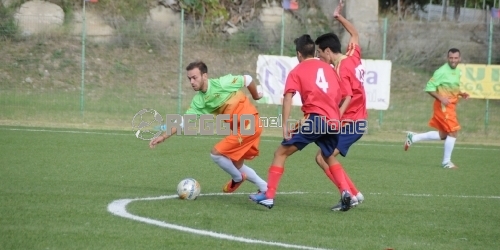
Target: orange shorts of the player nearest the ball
{"x": 237, "y": 147}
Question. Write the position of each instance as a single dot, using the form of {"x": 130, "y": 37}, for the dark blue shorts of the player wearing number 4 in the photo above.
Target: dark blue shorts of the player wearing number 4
{"x": 315, "y": 128}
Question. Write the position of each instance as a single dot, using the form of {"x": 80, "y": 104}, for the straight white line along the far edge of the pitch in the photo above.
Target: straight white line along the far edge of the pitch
{"x": 492, "y": 148}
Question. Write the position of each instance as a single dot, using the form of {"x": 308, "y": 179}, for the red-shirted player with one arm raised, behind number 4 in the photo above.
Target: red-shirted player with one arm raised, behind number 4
{"x": 354, "y": 117}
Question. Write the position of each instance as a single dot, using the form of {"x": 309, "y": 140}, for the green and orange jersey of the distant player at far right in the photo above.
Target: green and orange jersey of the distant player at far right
{"x": 446, "y": 82}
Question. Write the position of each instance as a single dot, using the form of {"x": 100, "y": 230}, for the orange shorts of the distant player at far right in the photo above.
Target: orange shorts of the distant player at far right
{"x": 444, "y": 118}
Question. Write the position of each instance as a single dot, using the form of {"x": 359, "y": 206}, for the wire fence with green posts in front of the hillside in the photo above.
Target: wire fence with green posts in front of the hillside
{"x": 66, "y": 78}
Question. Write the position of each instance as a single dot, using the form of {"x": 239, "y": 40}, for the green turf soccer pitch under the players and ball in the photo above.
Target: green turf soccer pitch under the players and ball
{"x": 89, "y": 189}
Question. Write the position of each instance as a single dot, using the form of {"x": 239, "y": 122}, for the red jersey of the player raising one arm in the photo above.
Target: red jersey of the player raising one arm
{"x": 352, "y": 73}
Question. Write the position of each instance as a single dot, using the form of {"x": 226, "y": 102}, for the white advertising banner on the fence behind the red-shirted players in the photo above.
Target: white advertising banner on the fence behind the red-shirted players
{"x": 273, "y": 70}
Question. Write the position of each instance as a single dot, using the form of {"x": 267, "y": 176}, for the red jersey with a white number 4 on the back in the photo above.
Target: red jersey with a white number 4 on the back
{"x": 319, "y": 88}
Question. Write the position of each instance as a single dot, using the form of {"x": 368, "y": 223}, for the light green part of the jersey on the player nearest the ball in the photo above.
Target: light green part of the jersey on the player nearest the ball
{"x": 219, "y": 91}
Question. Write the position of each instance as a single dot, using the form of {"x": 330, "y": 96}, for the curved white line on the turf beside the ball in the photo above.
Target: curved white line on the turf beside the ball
{"x": 119, "y": 208}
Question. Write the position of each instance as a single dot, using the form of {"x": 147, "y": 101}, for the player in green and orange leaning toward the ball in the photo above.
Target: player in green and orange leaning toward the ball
{"x": 224, "y": 96}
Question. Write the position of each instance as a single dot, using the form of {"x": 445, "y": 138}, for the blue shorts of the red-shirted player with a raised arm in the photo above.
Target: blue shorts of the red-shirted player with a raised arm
{"x": 350, "y": 133}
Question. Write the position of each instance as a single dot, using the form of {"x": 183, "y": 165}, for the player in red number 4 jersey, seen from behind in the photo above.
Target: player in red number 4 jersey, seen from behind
{"x": 320, "y": 93}
